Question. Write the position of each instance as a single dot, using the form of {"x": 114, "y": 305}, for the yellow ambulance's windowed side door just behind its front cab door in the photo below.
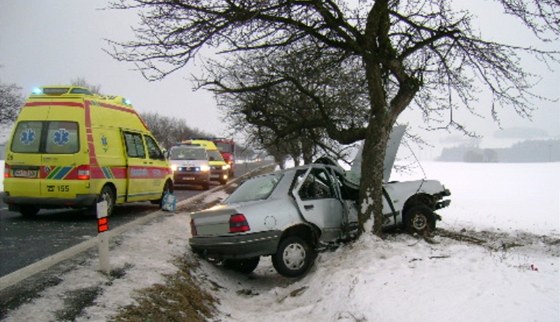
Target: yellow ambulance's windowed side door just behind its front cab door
{"x": 137, "y": 174}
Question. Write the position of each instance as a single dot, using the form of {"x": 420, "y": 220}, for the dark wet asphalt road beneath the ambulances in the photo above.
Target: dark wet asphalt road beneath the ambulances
{"x": 24, "y": 241}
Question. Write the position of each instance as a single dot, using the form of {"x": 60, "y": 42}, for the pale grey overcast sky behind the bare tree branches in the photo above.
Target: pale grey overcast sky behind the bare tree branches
{"x": 45, "y": 42}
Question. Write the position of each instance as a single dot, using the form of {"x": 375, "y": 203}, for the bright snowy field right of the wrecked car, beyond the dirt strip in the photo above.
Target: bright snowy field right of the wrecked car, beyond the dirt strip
{"x": 511, "y": 196}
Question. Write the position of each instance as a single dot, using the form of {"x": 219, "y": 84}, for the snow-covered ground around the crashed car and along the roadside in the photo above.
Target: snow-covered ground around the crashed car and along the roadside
{"x": 397, "y": 279}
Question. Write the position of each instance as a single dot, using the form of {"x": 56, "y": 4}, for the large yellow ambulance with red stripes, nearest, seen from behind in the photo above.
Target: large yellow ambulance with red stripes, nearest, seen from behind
{"x": 70, "y": 148}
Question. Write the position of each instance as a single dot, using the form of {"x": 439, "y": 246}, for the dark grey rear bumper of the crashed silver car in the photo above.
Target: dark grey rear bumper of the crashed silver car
{"x": 238, "y": 246}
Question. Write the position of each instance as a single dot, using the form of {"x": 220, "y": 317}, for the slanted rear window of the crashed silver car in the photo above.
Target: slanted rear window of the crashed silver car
{"x": 258, "y": 188}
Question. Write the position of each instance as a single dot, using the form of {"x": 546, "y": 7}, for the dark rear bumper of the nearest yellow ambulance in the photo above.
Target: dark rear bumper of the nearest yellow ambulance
{"x": 86, "y": 200}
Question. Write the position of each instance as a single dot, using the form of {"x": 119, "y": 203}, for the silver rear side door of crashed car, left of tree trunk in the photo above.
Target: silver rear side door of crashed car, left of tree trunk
{"x": 318, "y": 202}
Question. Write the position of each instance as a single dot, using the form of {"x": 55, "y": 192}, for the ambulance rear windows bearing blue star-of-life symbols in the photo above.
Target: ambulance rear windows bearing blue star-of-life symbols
{"x": 52, "y": 137}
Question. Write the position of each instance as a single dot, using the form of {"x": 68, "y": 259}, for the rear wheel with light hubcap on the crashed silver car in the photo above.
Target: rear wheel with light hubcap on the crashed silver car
{"x": 293, "y": 257}
